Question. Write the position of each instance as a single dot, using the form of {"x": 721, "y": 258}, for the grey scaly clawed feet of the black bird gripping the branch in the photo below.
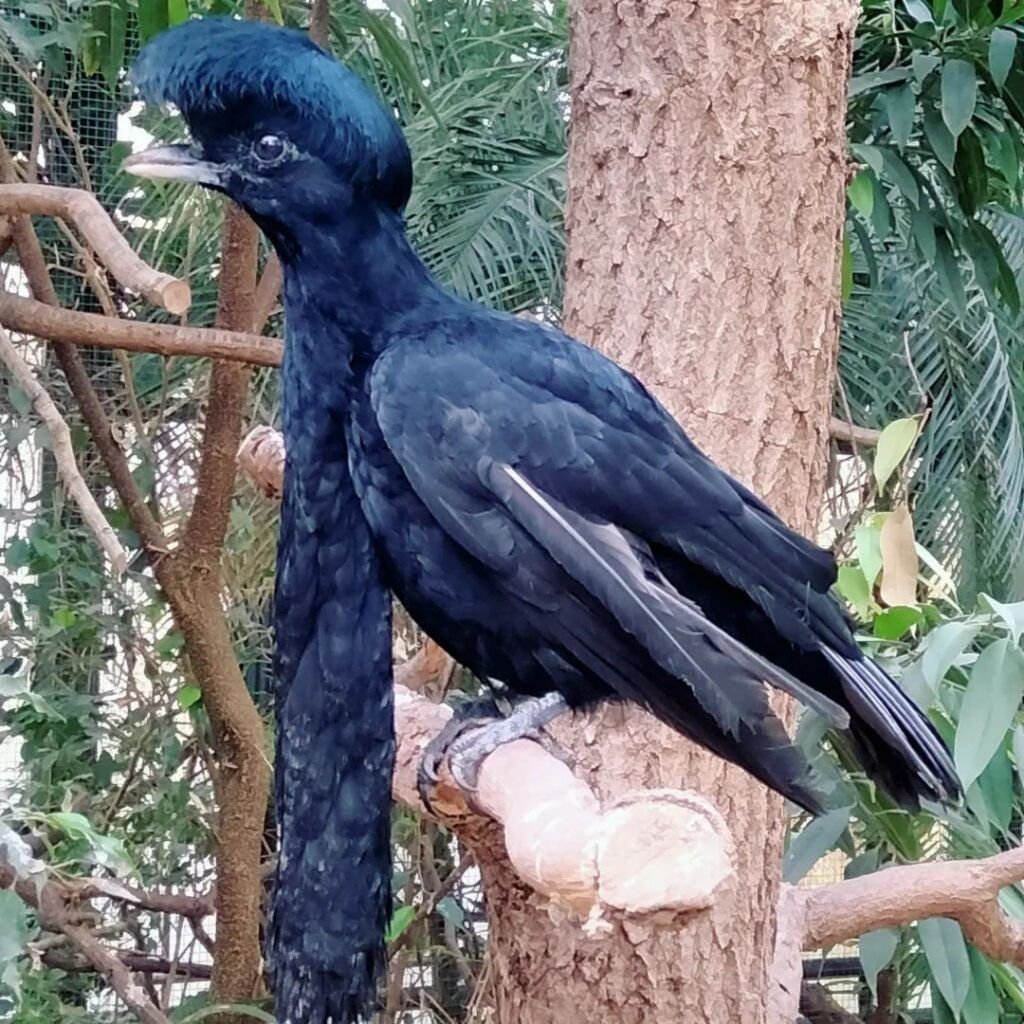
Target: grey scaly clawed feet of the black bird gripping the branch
{"x": 468, "y": 742}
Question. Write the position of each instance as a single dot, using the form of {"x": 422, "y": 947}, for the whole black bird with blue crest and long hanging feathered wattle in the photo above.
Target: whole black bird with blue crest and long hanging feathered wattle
{"x": 538, "y": 513}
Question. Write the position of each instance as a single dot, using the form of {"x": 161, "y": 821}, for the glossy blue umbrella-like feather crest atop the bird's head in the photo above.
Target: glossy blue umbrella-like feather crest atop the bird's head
{"x": 218, "y": 71}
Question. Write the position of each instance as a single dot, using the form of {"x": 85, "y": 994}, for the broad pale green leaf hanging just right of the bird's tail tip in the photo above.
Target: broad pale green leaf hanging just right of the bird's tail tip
{"x": 991, "y": 702}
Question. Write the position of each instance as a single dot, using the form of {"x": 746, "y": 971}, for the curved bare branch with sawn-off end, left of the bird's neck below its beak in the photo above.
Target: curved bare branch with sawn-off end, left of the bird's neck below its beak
{"x": 83, "y": 211}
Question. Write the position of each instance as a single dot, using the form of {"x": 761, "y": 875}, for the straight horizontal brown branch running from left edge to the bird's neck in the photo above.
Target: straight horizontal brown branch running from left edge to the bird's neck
{"x": 55, "y": 324}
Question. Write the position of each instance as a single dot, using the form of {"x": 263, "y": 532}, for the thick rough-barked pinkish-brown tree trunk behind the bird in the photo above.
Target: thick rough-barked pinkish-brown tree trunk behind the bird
{"x": 707, "y": 181}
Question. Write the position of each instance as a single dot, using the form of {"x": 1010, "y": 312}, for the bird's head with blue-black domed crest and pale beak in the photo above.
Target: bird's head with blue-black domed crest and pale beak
{"x": 276, "y": 123}
